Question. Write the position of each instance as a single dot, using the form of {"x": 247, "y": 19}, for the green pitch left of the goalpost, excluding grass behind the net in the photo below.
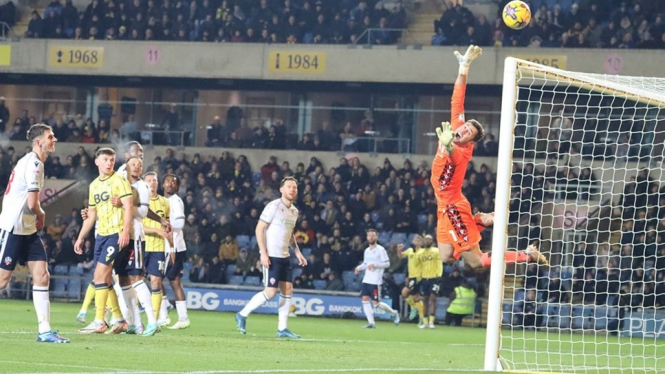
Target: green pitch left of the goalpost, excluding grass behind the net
{"x": 213, "y": 345}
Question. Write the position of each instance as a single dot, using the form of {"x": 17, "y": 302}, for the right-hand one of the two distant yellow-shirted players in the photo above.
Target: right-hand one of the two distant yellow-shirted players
{"x": 431, "y": 269}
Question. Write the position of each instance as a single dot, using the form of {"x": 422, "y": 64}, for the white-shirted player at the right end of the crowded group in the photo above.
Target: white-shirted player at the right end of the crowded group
{"x": 176, "y": 256}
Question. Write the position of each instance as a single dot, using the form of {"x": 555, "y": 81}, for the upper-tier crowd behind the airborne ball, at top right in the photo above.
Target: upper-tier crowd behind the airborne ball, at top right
{"x": 560, "y": 23}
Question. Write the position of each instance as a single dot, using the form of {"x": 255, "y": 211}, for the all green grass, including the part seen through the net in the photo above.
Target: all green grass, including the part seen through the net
{"x": 213, "y": 345}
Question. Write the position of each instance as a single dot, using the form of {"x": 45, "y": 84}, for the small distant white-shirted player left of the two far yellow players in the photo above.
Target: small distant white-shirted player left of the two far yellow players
{"x": 374, "y": 262}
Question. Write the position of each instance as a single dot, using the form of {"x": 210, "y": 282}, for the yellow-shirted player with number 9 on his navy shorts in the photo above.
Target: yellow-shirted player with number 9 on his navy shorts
{"x": 114, "y": 229}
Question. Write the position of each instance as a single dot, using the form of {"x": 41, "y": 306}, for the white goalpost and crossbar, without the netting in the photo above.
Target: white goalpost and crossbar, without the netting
{"x": 610, "y": 85}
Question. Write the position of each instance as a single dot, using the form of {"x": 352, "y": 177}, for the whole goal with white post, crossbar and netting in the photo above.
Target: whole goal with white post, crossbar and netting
{"x": 580, "y": 170}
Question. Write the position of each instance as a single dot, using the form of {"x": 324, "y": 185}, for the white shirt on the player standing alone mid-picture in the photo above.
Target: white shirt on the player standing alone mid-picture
{"x": 281, "y": 220}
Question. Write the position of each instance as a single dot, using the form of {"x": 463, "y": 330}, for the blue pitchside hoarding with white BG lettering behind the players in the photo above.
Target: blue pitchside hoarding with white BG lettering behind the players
{"x": 231, "y": 300}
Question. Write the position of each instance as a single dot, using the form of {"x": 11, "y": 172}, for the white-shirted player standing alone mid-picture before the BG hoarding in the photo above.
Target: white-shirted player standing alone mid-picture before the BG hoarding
{"x": 274, "y": 234}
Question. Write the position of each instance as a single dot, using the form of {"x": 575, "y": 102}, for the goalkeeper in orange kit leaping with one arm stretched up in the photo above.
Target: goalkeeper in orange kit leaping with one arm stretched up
{"x": 458, "y": 231}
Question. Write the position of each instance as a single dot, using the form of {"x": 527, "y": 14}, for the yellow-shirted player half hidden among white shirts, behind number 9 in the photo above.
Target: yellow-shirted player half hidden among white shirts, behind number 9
{"x": 156, "y": 240}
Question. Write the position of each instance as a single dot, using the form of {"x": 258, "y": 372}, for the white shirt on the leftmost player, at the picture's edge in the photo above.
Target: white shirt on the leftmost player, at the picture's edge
{"x": 27, "y": 176}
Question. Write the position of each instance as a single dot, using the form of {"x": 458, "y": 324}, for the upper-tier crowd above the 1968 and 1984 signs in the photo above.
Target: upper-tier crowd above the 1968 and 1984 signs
{"x": 236, "y": 21}
